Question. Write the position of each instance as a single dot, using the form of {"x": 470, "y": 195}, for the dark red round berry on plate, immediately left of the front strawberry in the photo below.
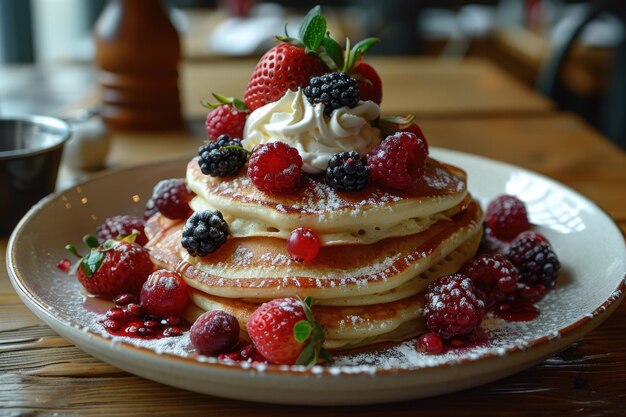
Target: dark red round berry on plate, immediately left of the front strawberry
{"x": 215, "y": 332}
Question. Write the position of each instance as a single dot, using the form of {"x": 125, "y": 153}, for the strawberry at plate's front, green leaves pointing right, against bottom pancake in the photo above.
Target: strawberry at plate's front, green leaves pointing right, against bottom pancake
{"x": 284, "y": 332}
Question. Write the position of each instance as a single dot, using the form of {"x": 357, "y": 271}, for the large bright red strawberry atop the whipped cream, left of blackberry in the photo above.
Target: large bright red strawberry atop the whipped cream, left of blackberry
{"x": 284, "y": 67}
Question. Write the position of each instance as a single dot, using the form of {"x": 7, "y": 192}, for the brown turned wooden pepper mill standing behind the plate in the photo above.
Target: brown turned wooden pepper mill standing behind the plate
{"x": 137, "y": 52}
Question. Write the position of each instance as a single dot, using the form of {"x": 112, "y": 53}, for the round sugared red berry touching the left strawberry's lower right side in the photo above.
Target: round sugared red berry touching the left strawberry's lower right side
{"x": 164, "y": 293}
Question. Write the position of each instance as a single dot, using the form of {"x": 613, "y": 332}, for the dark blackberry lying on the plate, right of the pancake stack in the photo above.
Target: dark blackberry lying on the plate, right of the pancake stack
{"x": 535, "y": 260}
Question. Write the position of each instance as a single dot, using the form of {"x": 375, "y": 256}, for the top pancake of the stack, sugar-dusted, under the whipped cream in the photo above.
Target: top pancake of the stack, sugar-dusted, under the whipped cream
{"x": 338, "y": 218}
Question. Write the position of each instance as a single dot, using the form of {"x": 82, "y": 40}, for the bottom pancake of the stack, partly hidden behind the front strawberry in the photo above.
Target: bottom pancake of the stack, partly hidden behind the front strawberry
{"x": 344, "y": 327}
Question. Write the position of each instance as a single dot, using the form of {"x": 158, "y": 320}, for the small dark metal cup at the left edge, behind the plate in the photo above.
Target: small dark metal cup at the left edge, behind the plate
{"x": 30, "y": 154}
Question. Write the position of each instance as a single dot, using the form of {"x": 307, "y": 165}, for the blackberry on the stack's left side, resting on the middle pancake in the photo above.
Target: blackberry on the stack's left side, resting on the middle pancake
{"x": 204, "y": 232}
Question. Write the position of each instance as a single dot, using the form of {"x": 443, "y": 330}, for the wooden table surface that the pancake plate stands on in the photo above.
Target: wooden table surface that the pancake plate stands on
{"x": 42, "y": 374}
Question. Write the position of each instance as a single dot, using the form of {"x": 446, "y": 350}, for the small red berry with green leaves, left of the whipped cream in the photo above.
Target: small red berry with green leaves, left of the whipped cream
{"x": 228, "y": 117}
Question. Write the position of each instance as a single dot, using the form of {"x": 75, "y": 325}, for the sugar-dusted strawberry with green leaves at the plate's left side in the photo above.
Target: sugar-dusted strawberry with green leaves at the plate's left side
{"x": 115, "y": 267}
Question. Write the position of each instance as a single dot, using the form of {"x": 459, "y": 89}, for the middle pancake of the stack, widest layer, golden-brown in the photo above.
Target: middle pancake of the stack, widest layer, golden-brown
{"x": 261, "y": 268}
